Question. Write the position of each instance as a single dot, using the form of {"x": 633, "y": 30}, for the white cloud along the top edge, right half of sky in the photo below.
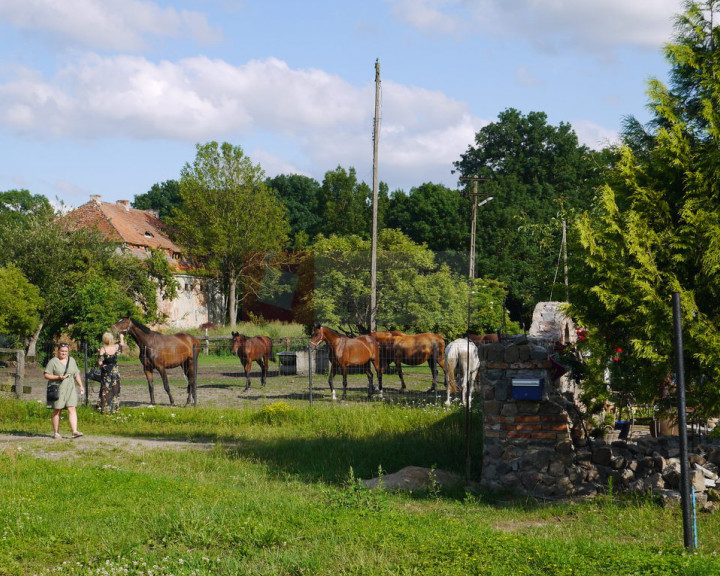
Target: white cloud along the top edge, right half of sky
{"x": 590, "y": 25}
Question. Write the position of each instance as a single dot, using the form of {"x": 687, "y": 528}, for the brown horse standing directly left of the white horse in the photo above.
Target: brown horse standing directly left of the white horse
{"x": 413, "y": 350}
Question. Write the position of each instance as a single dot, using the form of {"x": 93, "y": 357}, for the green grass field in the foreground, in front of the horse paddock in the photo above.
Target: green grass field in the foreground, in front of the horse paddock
{"x": 277, "y": 492}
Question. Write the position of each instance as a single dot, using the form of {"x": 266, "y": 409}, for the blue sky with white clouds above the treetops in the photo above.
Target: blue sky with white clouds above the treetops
{"x": 110, "y": 97}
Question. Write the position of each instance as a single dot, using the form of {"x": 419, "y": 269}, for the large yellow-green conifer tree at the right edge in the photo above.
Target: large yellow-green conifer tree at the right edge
{"x": 656, "y": 226}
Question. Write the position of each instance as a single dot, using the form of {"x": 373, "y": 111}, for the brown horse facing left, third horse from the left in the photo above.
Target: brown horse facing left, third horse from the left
{"x": 346, "y": 352}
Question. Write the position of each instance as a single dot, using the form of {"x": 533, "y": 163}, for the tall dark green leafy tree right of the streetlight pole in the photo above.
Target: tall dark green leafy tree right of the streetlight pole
{"x": 539, "y": 175}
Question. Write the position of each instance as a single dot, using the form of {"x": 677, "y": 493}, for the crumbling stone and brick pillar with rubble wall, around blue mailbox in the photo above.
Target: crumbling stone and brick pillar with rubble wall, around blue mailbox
{"x": 535, "y": 447}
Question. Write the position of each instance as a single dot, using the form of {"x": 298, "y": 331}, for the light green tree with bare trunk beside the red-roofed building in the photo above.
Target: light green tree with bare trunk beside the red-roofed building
{"x": 230, "y": 220}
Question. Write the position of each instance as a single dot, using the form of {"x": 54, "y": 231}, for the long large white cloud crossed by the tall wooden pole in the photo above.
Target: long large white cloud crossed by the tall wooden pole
{"x": 198, "y": 99}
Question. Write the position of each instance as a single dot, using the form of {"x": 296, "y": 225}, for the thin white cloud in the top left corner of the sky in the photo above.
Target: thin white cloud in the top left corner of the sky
{"x": 105, "y": 24}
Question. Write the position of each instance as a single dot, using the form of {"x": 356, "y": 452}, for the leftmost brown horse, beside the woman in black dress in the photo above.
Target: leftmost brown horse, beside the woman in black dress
{"x": 162, "y": 351}
